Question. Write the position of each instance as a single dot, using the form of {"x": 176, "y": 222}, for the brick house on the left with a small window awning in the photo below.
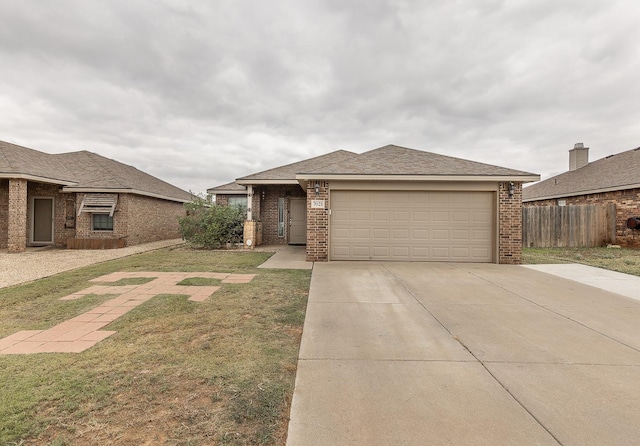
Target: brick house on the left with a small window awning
{"x": 82, "y": 200}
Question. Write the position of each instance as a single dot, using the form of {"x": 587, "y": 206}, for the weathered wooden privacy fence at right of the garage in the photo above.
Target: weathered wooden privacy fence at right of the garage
{"x": 584, "y": 226}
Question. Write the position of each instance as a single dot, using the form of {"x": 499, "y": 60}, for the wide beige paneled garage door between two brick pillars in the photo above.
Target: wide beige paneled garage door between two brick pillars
{"x": 416, "y": 226}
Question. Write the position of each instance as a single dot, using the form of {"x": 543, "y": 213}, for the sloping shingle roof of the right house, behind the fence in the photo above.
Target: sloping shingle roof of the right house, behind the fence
{"x": 614, "y": 172}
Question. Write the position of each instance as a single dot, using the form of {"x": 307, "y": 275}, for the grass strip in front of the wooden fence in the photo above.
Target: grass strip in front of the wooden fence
{"x": 622, "y": 260}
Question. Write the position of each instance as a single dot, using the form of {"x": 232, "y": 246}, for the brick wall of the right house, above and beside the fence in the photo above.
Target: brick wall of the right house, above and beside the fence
{"x": 627, "y": 205}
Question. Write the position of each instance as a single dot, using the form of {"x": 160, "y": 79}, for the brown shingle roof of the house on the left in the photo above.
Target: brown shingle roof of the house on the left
{"x": 83, "y": 171}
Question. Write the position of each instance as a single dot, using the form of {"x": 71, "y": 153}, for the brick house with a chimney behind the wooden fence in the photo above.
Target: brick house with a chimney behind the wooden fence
{"x": 613, "y": 179}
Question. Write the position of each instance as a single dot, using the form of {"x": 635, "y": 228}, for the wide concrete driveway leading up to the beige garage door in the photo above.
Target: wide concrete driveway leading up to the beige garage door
{"x": 464, "y": 354}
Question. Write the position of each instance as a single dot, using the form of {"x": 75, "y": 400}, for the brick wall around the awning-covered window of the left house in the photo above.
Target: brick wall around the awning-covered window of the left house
{"x": 137, "y": 218}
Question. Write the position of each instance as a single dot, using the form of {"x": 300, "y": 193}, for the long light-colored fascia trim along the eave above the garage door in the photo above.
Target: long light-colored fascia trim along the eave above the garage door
{"x": 434, "y": 178}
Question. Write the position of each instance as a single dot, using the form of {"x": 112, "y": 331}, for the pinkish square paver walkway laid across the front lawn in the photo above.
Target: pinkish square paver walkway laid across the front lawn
{"x": 82, "y": 332}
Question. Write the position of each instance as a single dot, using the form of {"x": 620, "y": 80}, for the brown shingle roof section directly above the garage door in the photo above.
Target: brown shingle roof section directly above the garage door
{"x": 395, "y": 160}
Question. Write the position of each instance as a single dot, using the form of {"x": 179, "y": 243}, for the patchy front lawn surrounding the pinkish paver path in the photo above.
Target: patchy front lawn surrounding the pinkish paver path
{"x": 176, "y": 372}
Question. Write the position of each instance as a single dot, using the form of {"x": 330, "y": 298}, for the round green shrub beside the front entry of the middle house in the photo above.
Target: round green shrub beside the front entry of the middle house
{"x": 212, "y": 226}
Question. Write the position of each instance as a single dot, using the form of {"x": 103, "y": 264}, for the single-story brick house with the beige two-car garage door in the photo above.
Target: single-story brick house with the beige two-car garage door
{"x": 391, "y": 203}
